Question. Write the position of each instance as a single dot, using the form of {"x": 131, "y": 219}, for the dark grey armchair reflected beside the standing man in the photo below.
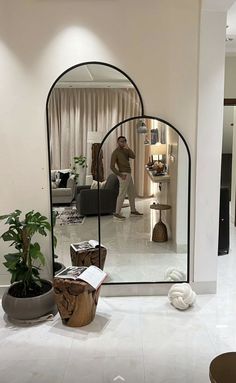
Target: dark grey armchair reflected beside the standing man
{"x": 86, "y": 201}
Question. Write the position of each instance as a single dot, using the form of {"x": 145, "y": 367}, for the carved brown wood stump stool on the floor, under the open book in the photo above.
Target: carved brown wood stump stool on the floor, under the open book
{"x": 76, "y": 301}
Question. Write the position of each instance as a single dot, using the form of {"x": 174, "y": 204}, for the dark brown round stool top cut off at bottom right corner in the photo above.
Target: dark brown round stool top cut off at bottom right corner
{"x": 223, "y": 368}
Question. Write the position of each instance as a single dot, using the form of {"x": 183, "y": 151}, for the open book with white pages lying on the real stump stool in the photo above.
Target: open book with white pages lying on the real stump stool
{"x": 92, "y": 275}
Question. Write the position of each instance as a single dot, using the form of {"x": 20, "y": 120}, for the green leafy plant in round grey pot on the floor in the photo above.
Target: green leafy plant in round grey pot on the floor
{"x": 29, "y": 296}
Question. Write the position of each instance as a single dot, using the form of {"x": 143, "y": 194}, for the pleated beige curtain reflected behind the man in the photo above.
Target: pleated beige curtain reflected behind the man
{"x": 72, "y": 112}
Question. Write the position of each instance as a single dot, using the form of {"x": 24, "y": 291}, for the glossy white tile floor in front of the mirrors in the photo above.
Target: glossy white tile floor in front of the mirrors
{"x": 141, "y": 339}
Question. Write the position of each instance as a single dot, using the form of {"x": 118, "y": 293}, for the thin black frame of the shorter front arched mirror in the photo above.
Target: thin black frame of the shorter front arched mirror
{"x": 143, "y": 116}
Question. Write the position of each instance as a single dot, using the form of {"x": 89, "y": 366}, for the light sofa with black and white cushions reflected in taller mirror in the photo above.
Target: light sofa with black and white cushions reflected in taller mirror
{"x": 63, "y": 186}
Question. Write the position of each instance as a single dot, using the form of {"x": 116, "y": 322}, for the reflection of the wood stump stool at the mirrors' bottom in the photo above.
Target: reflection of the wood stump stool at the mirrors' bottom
{"x": 88, "y": 257}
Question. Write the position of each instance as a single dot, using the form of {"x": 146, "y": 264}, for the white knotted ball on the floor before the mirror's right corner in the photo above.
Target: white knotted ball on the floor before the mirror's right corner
{"x": 181, "y": 296}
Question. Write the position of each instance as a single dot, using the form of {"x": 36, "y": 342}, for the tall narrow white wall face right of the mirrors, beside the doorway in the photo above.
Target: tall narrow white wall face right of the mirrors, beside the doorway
{"x": 209, "y": 145}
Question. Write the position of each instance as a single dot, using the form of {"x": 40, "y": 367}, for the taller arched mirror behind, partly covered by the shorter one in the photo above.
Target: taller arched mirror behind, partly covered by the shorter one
{"x": 84, "y": 103}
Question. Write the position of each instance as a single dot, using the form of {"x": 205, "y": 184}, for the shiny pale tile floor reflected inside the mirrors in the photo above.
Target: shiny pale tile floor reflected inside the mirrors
{"x": 131, "y": 254}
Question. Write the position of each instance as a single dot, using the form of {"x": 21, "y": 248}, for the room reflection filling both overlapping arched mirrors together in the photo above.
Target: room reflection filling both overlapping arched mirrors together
{"x": 144, "y": 226}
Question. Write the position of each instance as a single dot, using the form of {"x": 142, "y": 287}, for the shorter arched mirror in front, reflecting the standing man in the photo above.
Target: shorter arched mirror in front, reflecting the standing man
{"x": 153, "y": 247}
